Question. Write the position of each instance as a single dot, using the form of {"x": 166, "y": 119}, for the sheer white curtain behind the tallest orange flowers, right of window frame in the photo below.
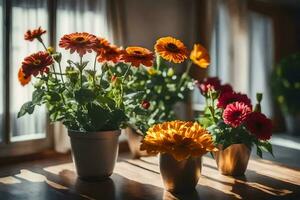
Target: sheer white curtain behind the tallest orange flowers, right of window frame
{"x": 78, "y": 16}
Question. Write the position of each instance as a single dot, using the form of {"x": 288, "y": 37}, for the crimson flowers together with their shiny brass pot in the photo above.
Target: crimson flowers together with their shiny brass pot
{"x": 235, "y": 126}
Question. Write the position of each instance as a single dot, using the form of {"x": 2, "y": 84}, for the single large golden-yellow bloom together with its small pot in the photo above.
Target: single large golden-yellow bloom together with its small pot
{"x": 181, "y": 146}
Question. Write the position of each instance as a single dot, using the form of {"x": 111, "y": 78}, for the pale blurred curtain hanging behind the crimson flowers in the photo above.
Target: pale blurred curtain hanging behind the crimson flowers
{"x": 241, "y": 50}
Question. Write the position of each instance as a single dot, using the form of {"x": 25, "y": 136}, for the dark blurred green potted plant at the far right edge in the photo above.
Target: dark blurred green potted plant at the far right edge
{"x": 286, "y": 90}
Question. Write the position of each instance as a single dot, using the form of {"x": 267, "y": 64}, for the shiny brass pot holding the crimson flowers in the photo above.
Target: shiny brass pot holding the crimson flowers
{"x": 233, "y": 161}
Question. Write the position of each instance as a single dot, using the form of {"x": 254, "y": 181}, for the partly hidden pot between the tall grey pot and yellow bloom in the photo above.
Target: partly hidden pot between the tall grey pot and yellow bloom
{"x": 134, "y": 143}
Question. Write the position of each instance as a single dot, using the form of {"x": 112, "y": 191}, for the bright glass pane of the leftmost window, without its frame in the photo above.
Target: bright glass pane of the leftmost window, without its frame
{"x": 26, "y": 14}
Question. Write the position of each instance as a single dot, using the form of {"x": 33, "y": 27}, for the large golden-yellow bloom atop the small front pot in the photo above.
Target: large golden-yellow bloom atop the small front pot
{"x": 178, "y": 138}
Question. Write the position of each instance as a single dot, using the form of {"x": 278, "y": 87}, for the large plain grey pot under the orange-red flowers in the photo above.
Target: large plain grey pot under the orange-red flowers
{"x": 94, "y": 153}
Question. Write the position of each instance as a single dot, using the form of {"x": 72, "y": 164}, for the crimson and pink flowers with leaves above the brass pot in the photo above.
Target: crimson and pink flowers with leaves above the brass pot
{"x": 231, "y": 119}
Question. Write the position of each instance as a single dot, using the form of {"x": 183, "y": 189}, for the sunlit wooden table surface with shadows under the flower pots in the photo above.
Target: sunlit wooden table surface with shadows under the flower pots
{"x": 140, "y": 179}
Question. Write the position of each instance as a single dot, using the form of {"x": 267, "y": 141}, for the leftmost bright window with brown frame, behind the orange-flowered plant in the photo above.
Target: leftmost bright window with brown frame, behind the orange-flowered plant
{"x": 27, "y": 134}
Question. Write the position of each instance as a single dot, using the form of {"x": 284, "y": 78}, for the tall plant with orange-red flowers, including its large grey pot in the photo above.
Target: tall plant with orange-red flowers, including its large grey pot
{"x": 87, "y": 96}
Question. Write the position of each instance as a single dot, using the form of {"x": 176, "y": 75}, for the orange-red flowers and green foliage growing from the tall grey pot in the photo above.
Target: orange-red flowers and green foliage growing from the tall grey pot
{"x": 85, "y": 95}
